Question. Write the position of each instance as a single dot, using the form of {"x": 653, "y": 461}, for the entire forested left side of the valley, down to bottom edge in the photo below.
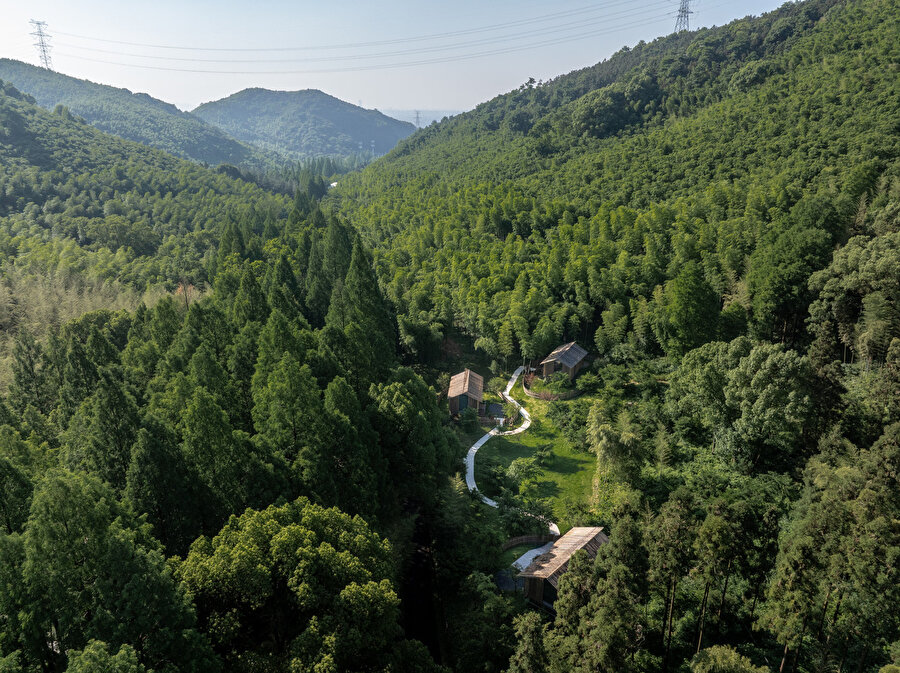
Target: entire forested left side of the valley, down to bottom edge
{"x": 151, "y": 452}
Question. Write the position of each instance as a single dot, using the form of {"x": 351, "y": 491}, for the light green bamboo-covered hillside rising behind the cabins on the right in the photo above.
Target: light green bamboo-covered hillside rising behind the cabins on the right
{"x": 598, "y": 187}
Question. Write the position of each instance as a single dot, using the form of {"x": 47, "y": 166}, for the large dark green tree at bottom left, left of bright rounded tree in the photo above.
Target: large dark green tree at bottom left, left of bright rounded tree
{"x": 92, "y": 571}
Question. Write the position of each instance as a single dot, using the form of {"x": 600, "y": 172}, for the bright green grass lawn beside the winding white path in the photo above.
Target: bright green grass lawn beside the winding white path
{"x": 567, "y": 478}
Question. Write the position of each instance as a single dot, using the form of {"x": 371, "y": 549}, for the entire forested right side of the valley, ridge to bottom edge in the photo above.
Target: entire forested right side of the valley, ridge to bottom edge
{"x": 715, "y": 215}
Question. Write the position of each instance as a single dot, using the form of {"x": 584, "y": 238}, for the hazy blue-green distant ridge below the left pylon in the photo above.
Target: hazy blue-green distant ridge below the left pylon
{"x": 132, "y": 116}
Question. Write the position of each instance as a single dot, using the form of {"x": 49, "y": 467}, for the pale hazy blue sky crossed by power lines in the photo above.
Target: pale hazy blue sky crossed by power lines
{"x": 448, "y": 55}
